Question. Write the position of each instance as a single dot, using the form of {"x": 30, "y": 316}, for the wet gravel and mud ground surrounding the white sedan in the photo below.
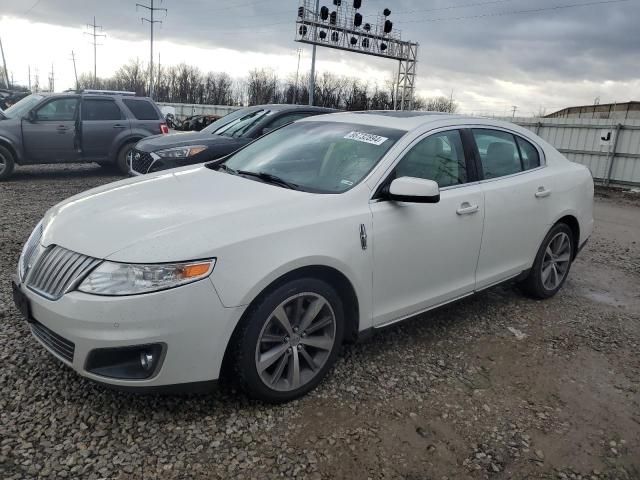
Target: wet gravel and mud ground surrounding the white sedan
{"x": 496, "y": 386}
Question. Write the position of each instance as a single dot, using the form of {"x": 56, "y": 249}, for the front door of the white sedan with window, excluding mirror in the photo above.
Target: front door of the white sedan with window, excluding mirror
{"x": 426, "y": 254}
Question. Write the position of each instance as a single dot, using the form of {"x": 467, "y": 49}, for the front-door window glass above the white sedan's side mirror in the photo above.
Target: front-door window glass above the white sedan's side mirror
{"x": 439, "y": 157}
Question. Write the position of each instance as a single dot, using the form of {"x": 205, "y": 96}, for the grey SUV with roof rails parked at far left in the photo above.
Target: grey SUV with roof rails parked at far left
{"x": 89, "y": 126}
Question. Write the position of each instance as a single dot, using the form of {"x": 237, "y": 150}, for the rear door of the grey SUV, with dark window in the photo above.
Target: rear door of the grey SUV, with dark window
{"x": 102, "y": 123}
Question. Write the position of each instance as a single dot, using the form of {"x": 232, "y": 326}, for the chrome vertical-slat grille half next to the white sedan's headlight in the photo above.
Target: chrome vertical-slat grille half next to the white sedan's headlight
{"x": 57, "y": 270}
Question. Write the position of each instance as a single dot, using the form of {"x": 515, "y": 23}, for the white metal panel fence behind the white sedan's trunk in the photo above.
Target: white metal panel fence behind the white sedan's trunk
{"x": 611, "y": 150}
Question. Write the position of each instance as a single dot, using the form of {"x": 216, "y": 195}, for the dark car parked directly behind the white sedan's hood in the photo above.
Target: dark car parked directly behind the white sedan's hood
{"x": 222, "y": 137}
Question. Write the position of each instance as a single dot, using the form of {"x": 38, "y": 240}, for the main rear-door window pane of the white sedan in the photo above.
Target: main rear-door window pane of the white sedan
{"x": 498, "y": 152}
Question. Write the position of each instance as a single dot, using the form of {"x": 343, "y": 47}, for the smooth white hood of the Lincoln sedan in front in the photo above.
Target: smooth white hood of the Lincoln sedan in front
{"x": 166, "y": 217}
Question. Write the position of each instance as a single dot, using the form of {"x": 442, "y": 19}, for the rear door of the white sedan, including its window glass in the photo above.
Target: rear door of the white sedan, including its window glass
{"x": 517, "y": 191}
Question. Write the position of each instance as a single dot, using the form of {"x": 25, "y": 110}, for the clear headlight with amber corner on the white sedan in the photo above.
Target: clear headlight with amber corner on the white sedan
{"x": 115, "y": 279}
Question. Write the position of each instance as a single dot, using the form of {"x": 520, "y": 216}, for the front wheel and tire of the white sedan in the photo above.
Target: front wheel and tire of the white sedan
{"x": 288, "y": 340}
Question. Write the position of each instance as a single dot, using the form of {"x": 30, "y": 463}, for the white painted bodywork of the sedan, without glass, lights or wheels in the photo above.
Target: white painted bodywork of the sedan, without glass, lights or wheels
{"x": 418, "y": 256}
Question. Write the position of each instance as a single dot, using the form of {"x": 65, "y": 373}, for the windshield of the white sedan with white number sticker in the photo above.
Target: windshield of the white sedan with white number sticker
{"x": 316, "y": 156}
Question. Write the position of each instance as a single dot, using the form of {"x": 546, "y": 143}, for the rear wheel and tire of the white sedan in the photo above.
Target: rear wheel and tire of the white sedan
{"x": 552, "y": 264}
